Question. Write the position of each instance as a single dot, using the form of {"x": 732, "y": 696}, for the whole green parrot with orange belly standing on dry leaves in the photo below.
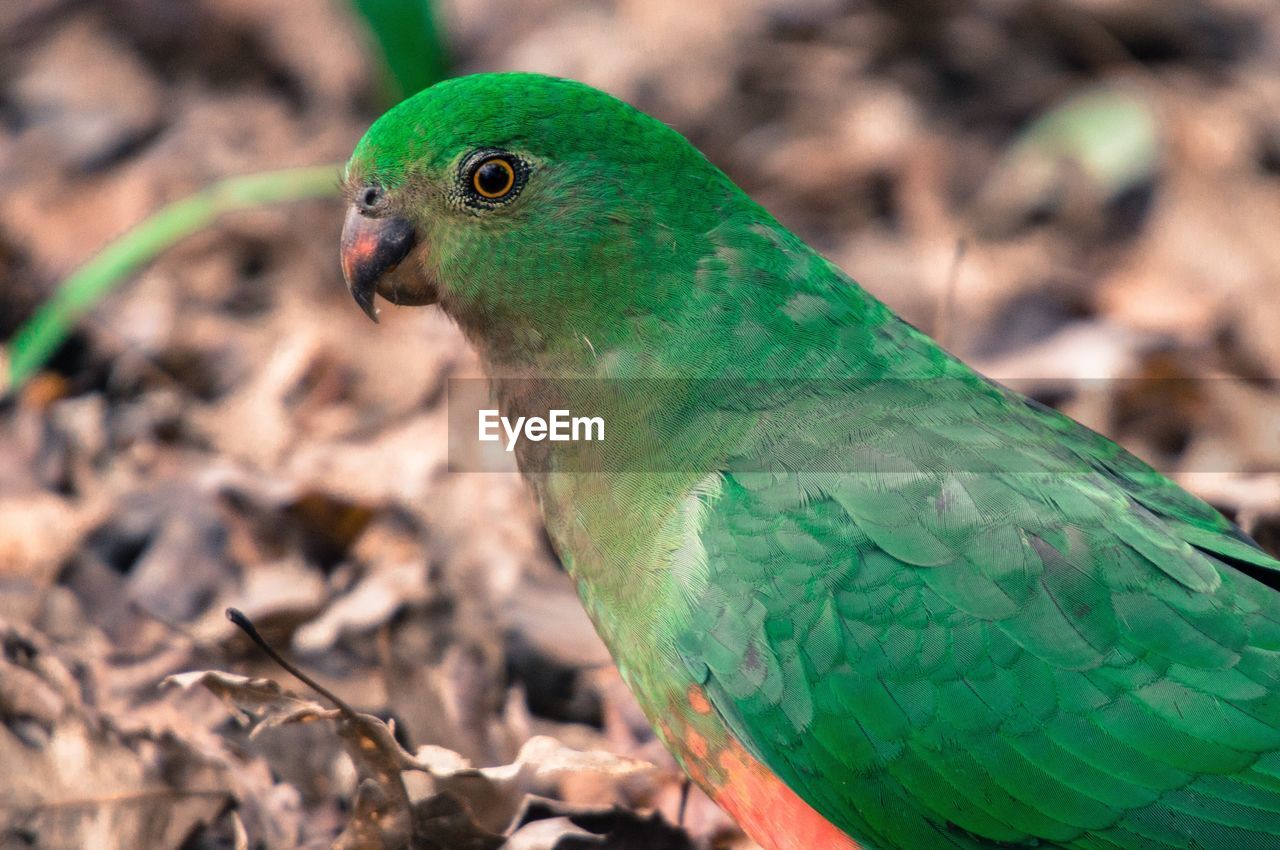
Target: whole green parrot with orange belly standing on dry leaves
{"x": 867, "y": 597}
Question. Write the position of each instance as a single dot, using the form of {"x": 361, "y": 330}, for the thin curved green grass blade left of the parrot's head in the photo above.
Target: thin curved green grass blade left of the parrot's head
{"x": 42, "y": 336}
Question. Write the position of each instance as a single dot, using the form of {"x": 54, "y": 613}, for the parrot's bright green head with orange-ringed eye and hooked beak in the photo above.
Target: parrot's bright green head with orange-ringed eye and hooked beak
{"x": 528, "y": 207}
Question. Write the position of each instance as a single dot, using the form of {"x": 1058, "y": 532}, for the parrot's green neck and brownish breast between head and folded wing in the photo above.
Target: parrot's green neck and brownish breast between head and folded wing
{"x": 684, "y": 386}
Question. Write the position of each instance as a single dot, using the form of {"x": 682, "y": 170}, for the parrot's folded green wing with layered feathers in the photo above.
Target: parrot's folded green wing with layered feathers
{"x": 1016, "y": 656}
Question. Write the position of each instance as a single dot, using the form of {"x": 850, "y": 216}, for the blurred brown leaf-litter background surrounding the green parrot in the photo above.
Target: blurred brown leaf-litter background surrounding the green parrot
{"x": 1081, "y": 198}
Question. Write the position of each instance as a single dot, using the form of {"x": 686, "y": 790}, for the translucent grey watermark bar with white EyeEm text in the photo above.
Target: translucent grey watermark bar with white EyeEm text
{"x": 865, "y": 427}
